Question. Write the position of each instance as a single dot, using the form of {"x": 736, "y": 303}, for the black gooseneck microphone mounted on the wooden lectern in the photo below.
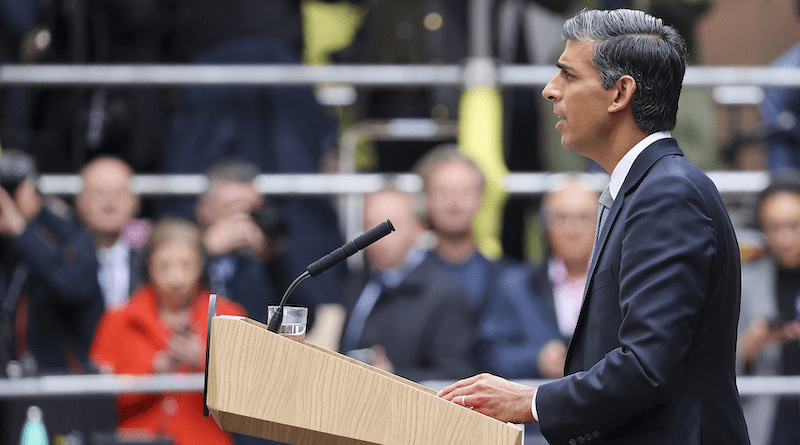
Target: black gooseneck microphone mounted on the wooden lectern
{"x": 328, "y": 261}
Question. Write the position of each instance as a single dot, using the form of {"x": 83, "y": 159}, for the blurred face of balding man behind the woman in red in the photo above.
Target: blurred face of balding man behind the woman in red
{"x": 106, "y": 202}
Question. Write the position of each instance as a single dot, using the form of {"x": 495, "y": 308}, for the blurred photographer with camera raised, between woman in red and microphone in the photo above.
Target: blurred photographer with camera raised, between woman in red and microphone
{"x": 237, "y": 246}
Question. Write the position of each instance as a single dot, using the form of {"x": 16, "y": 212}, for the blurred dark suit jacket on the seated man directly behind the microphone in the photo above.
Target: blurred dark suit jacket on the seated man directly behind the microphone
{"x": 426, "y": 324}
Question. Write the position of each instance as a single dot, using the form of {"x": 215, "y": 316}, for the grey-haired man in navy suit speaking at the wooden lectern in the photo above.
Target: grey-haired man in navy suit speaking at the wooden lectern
{"x": 652, "y": 359}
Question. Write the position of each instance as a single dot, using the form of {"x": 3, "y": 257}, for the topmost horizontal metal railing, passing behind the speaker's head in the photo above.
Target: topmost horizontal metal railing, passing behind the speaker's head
{"x": 363, "y": 75}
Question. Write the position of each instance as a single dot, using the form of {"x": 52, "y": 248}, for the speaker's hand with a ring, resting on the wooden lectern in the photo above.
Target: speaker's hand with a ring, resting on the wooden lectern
{"x": 494, "y": 396}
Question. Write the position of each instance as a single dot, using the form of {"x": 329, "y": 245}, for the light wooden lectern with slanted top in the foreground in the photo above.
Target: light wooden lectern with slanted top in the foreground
{"x": 262, "y": 384}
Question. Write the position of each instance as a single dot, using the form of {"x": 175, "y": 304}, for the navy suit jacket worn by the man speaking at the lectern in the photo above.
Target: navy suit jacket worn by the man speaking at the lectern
{"x": 653, "y": 356}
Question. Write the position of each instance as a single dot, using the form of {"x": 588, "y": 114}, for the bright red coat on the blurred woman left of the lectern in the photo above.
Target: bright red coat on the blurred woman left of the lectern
{"x": 127, "y": 340}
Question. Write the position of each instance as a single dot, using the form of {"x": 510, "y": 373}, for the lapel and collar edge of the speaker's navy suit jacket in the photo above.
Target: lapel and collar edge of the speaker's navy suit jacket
{"x": 639, "y": 169}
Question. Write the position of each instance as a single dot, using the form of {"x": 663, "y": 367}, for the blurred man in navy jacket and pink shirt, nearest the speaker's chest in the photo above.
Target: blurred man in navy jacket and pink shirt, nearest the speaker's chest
{"x": 524, "y": 333}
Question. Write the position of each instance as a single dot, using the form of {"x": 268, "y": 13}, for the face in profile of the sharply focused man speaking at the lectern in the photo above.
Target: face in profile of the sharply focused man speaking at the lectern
{"x": 579, "y": 100}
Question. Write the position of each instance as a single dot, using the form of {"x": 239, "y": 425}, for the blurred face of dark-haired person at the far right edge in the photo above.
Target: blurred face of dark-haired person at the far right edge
{"x": 780, "y": 222}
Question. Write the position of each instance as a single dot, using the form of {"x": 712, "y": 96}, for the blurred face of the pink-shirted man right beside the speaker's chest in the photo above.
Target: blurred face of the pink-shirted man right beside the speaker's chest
{"x": 571, "y": 224}
